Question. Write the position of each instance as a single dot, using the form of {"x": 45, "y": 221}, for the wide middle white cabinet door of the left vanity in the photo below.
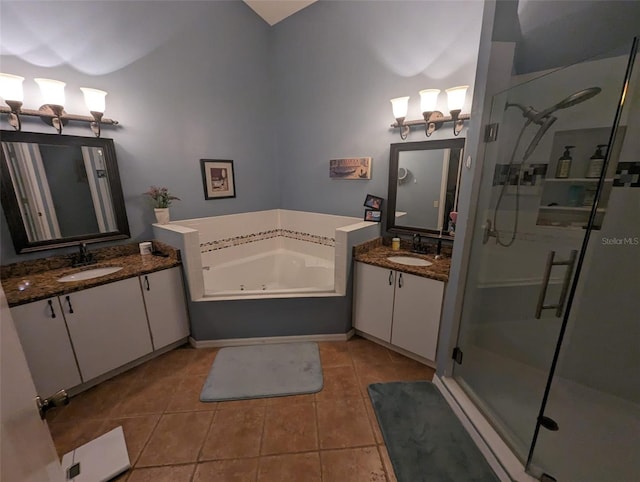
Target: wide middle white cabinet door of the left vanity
{"x": 108, "y": 326}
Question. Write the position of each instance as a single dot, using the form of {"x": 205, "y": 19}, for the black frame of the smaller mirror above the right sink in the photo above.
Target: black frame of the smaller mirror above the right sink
{"x": 394, "y": 157}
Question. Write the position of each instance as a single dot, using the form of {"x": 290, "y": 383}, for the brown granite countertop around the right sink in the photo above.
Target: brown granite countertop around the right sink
{"x": 376, "y": 253}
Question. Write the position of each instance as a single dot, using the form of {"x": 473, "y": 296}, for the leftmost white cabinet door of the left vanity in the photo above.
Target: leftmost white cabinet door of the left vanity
{"x": 45, "y": 341}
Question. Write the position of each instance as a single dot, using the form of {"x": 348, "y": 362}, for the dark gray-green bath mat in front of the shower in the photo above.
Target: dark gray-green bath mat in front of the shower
{"x": 425, "y": 439}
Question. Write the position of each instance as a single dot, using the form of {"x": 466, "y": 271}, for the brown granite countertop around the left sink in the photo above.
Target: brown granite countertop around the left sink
{"x": 42, "y": 275}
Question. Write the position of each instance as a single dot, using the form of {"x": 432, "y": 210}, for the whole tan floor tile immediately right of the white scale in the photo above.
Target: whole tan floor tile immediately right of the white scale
{"x": 177, "y": 439}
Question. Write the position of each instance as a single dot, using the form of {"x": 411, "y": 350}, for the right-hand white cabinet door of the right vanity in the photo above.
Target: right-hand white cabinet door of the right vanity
{"x": 416, "y": 316}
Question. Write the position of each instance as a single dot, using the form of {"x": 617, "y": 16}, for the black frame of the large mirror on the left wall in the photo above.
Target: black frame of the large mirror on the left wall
{"x": 10, "y": 202}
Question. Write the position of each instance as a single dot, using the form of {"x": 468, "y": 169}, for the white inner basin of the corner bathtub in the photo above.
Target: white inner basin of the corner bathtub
{"x": 279, "y": 273}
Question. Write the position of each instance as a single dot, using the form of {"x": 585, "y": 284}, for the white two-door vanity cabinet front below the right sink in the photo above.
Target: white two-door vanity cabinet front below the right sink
{"x": 398, "y": 308}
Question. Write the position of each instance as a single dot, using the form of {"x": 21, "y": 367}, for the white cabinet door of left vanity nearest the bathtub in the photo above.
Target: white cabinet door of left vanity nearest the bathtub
{"x": 164, "y": 297}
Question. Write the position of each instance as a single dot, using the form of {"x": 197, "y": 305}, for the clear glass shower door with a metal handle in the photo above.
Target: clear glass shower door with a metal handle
{"x": 535, "y": 208}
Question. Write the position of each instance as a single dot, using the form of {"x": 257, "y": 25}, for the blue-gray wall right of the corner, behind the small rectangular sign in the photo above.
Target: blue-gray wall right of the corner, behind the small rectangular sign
{"x": 337, "y": 64}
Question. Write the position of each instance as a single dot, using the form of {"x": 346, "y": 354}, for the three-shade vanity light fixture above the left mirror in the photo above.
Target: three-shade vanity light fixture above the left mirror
{"x": 52, "y": 112}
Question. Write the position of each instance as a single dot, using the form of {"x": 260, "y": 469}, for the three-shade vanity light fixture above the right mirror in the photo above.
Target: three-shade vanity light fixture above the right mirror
{"x": 432, "y": 119}
